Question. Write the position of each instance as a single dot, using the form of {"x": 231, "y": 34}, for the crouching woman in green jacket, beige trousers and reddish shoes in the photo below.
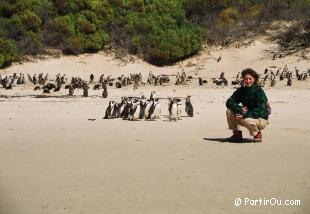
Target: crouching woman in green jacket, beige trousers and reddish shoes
{"x": 253, "y": 111}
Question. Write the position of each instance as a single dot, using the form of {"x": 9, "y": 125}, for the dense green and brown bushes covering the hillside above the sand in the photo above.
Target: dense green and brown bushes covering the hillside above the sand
{"x": 159, "y": 31}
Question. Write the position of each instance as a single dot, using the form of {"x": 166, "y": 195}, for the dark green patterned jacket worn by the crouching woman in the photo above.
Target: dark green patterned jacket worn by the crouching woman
{"x": 254, "y": 98}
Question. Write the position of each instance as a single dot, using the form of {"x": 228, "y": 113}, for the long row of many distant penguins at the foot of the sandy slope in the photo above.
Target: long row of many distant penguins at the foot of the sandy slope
{"x": 48, "y": 85}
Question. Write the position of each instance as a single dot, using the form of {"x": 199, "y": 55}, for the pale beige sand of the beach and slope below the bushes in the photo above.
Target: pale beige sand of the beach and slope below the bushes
{"x": 54, "y": 160}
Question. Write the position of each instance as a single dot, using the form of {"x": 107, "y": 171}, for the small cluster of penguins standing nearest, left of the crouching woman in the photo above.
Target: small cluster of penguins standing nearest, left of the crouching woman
{"x": 135, "y": 108}
